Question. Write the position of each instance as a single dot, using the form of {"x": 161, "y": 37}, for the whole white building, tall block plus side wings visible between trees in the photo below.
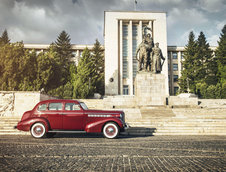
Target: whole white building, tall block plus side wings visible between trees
{"x": 123, "y": 32}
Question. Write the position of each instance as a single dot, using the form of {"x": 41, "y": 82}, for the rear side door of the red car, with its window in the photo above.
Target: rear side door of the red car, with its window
{"x": 54, "y": 115}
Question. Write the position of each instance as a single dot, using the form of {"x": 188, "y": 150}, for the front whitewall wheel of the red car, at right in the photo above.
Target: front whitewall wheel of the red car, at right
{"x": 110, "y": 130}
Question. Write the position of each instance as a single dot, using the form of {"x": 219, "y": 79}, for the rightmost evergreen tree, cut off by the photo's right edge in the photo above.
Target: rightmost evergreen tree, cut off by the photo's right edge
{"x": 221, "y": 57}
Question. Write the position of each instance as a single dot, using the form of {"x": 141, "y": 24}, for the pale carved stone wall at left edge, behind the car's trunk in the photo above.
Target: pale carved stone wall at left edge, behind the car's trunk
{"x": 15, "y": 103}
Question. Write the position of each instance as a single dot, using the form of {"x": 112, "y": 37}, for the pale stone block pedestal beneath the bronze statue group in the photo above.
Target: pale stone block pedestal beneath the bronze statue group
{"x": 150, "y": 89}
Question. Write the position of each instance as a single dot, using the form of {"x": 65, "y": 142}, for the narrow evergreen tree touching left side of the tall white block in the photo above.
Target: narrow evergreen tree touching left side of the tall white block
{"x": 98, "y": 61}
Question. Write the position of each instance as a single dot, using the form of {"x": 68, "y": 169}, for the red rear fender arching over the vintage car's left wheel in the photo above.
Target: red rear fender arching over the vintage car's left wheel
{"x": 25, "y": 125}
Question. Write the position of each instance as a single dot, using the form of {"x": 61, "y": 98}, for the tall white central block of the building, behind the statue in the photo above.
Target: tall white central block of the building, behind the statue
{"x": 123, "y": 32}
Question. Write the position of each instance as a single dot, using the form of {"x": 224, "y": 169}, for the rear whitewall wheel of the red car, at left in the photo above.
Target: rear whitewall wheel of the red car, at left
{"x": 38, "y": 130}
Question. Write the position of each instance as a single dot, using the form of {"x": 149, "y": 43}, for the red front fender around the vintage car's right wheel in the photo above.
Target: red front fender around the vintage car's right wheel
{"x": 97, "y": 126}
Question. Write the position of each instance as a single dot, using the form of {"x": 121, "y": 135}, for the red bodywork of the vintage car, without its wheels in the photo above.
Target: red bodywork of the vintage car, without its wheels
{"x": 64, "y": 118}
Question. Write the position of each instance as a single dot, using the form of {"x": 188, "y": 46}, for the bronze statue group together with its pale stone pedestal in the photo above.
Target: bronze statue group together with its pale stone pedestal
{"x": 149, "y": 82}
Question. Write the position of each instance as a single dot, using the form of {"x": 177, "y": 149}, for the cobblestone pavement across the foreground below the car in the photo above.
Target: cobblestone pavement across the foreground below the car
{"x": 95, "y": 153}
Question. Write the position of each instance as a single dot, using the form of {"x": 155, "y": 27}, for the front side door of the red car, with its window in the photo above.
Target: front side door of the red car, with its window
{"x": 74, "y": 117}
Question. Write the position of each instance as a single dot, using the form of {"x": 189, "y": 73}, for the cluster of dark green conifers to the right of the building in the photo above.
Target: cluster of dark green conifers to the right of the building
{"x": 205, "y": 72}
